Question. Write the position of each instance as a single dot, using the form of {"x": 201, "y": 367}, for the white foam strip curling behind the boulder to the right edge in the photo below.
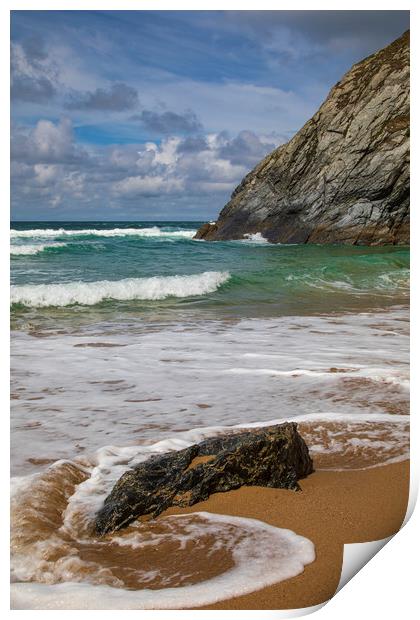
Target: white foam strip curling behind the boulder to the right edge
{"x": 327, "y": 434}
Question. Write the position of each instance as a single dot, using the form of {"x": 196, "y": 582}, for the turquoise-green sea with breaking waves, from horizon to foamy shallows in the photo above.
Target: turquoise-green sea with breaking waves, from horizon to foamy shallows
{"x": 231, "y": 279}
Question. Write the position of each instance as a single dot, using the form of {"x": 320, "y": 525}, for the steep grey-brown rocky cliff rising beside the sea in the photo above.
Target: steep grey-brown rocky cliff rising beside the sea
{"x": 344, "y": 177}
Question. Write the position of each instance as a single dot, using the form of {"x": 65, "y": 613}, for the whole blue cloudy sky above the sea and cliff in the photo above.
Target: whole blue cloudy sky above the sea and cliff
{"x": 158, "y": 115}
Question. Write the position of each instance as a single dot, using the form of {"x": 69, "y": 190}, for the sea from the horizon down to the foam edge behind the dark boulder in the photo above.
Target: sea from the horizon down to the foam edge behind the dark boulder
{"x": 135, "y": 330}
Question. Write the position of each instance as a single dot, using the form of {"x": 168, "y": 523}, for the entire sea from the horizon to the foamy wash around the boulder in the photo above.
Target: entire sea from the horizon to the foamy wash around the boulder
{"x": 130, "y": 339}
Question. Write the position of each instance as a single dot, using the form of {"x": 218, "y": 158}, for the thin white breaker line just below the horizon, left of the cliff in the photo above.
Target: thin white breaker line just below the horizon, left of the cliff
{"x": 153, "y": 231}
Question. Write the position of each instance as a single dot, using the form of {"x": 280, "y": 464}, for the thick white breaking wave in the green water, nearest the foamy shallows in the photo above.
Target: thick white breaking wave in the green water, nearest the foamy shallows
{"x": 91, "y": 293}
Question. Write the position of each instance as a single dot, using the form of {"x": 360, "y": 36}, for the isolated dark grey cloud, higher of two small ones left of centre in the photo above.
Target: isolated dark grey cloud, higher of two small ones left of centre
{"x": 116, "y": 98}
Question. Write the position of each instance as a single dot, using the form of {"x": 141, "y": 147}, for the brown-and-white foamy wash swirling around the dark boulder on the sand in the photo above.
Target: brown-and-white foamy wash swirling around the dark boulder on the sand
{"x": 57, "y": 564}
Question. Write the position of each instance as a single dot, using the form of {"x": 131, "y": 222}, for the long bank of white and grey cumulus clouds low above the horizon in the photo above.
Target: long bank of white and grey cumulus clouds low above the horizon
{"x": 50, "y": 167}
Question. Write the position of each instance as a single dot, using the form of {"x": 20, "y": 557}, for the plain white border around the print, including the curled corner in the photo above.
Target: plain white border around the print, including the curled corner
{"x": 386, "y": 587}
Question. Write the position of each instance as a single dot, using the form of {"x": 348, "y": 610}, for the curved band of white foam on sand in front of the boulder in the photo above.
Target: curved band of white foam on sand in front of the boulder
{"x": 262, "y": 555}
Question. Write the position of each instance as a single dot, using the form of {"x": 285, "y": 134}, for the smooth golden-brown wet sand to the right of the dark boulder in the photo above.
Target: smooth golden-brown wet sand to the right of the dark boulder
{"x": 333, "y": 508}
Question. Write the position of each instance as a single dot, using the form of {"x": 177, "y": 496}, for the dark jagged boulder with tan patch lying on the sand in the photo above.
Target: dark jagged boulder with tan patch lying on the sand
{"x": 274, "y": 456}
